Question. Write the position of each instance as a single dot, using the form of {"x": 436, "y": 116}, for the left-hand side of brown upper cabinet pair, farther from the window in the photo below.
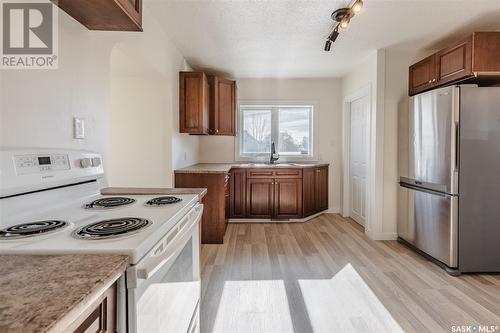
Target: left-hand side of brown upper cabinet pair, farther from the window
{"x": 193, "y": 103}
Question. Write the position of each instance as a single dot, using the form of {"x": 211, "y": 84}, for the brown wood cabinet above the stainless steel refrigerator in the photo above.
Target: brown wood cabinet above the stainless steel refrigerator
{"x": 470, "y": 58}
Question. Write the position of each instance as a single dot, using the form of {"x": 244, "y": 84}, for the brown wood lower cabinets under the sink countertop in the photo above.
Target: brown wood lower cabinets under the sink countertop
{"x": 257, "y": 193}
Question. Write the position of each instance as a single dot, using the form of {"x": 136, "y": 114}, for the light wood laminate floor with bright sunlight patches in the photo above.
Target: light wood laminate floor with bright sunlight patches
{"x": 325, "y": 275}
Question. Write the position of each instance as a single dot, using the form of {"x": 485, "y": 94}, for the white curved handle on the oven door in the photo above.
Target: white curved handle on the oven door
{"x": 182, "y": 236}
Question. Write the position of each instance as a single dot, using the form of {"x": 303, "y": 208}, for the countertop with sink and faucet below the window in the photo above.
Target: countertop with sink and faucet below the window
{"x": 225, "y": 167}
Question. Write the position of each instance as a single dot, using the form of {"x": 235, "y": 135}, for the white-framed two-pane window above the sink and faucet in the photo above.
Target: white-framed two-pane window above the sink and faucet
{"x": 288, "y": 126}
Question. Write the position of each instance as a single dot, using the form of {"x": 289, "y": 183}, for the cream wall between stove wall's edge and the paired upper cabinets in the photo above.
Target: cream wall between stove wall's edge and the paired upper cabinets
{"x": 144, "y": 115}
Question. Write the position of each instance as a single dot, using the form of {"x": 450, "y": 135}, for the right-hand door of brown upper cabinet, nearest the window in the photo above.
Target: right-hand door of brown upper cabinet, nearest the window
{"x": 222, "y": 106}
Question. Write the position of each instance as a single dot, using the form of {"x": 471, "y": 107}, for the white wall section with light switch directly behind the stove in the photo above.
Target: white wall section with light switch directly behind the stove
{"x": 37, "y": 106}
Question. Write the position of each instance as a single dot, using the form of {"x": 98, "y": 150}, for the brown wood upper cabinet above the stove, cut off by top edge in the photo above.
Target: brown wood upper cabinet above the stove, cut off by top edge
{"x": 109, "y": 15}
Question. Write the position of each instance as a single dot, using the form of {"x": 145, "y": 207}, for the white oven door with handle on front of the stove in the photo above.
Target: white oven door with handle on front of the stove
{"x": 163, "y": 289}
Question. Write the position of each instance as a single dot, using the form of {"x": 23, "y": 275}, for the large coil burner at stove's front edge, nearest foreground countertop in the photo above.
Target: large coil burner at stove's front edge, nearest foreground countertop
{"x": 113, "y": 228}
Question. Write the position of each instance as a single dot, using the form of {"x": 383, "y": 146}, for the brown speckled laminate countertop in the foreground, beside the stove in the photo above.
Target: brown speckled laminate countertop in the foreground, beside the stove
{"x": 44, "y": 293}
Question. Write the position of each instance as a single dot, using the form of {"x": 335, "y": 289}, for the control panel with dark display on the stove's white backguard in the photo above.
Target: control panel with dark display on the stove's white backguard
{"x": 27, "y": 164}
